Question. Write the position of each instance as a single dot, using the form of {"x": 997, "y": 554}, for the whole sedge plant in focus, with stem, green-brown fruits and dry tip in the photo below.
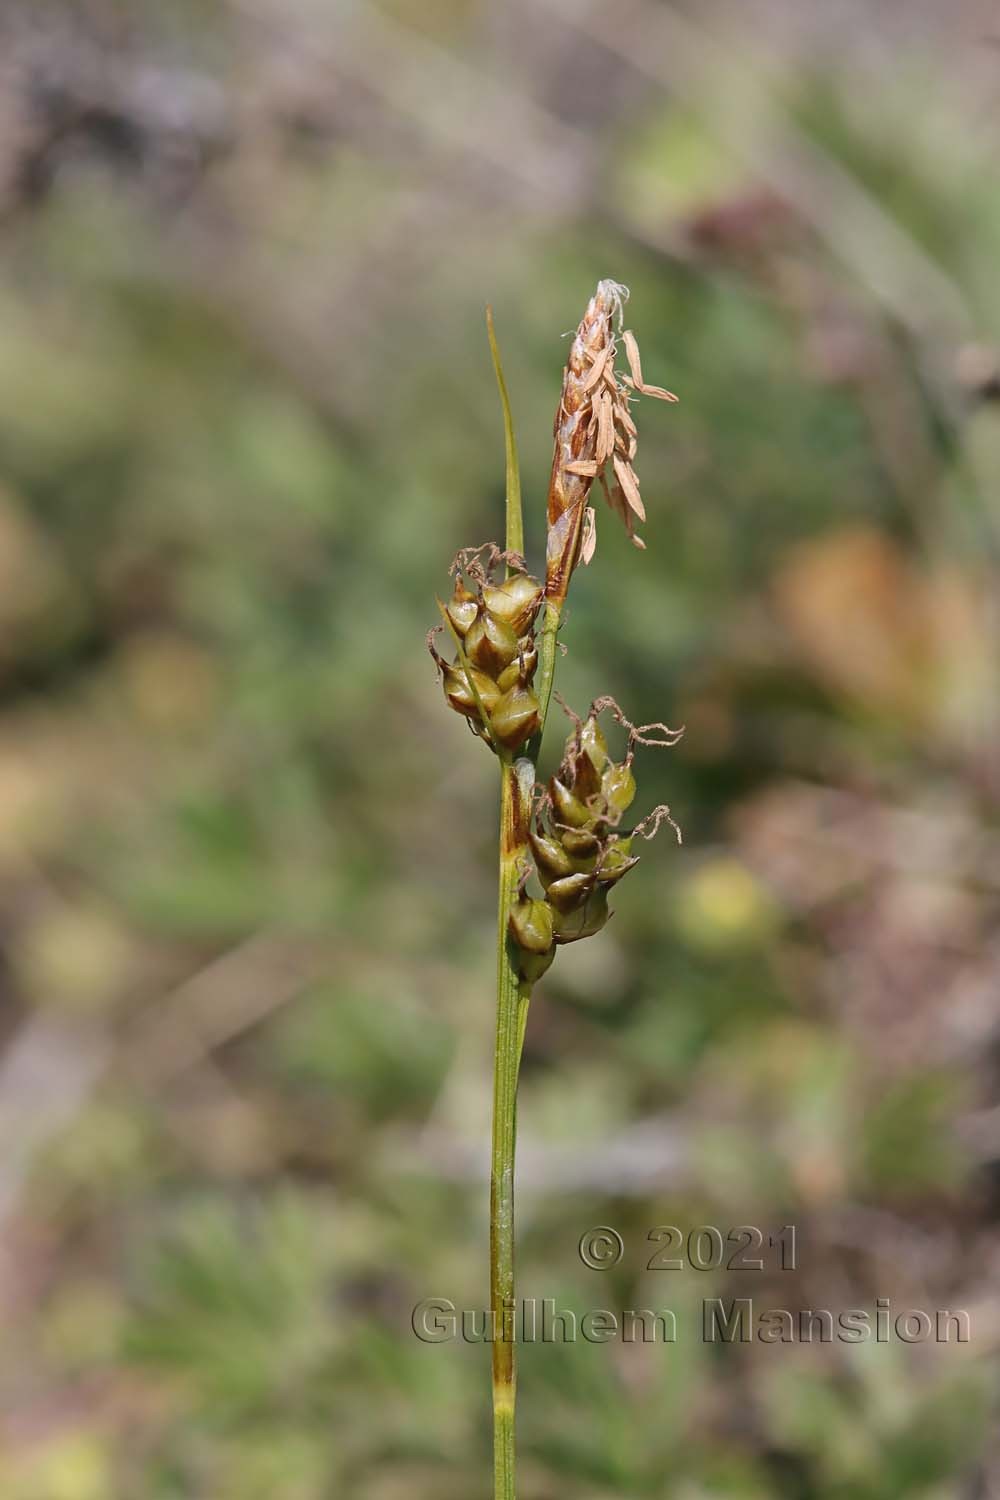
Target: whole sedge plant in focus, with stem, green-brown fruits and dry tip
{"x": 563, "y": 847}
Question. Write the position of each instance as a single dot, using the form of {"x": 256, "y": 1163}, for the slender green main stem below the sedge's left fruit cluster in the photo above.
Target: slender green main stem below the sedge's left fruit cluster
{"x": 512, "y": 1004}
